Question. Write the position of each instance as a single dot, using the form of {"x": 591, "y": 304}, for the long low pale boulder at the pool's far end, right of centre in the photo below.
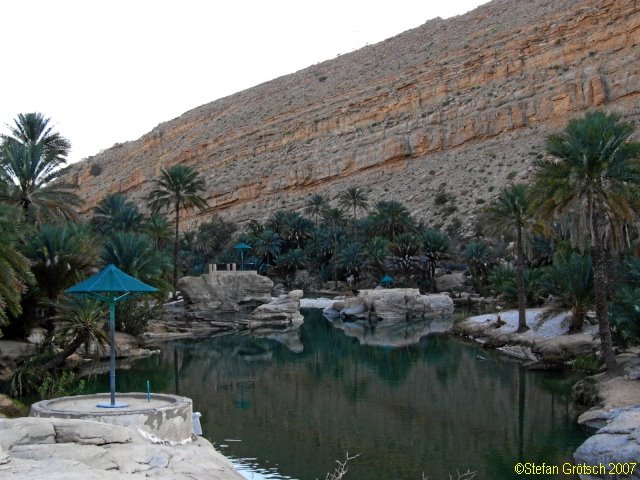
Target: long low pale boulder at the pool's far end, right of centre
{"x": 391, "y": 305}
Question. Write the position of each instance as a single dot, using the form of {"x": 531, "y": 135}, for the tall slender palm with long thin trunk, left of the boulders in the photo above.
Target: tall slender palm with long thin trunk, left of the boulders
{"x": 178, "y": 187}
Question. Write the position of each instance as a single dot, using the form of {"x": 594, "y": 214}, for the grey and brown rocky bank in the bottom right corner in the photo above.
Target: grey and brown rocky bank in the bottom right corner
{"x": 616, "y": 418}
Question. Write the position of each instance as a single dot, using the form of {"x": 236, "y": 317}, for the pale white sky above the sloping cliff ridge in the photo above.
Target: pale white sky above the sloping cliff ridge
{"x": 107, "y": 72}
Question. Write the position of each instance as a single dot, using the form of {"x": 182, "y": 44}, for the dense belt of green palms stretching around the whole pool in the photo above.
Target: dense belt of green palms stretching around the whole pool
{"x": 571, "y": 237}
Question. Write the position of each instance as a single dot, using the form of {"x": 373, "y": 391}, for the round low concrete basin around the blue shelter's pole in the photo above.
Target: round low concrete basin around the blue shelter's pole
{"x": 168, "y": 417}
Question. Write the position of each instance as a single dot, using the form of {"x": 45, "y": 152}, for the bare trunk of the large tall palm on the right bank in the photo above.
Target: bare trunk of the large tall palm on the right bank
{"x": 600, "y": 287}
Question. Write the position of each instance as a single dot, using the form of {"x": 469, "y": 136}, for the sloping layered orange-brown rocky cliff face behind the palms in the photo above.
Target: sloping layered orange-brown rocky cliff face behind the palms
{"x": 460, "y": 106}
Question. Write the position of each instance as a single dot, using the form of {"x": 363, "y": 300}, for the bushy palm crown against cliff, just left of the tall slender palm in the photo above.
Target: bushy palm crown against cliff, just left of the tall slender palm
{"x": 115, "y": 213}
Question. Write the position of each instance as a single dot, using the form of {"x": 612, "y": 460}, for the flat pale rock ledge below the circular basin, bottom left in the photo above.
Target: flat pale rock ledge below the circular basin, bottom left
{"x": 62, "y": 449}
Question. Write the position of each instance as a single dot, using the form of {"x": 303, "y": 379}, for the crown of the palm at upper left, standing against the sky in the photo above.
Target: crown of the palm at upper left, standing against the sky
{"x": 30, "y": 160}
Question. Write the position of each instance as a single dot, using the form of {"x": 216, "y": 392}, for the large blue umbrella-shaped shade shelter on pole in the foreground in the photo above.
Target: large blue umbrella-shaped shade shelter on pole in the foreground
{"x": 111, "y": 285}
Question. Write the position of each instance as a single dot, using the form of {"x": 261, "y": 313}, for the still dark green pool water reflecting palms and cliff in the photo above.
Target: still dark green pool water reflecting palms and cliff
{"x": 432, "y": 408}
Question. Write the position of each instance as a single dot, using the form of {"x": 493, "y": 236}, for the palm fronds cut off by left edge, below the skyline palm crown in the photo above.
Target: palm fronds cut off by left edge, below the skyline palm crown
{"x": 14, "y": 266}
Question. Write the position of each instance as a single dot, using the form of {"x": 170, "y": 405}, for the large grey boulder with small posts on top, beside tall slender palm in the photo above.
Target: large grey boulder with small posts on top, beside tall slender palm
{"x": 224, "y": 292}
